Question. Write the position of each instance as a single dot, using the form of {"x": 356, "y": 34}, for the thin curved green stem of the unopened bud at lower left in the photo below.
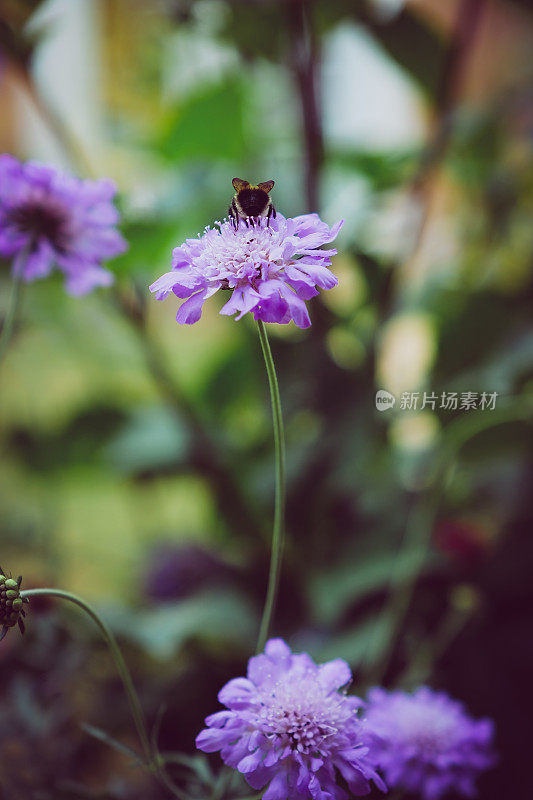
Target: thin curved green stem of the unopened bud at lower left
{"x": 133, "y": 699}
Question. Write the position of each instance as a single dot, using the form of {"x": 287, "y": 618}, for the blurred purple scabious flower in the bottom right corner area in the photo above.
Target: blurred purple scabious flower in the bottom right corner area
{"x": 427, "y": 743}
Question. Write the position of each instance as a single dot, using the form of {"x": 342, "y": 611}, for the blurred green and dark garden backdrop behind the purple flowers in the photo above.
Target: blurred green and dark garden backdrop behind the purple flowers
{"x": 136, "y": 456}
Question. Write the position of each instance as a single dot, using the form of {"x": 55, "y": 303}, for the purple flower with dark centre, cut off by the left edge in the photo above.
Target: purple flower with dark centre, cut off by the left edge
{"x": 48, "y": 218}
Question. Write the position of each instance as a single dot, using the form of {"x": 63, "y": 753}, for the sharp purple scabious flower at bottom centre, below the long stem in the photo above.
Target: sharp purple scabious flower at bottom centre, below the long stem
{"x": 288, "y": 725}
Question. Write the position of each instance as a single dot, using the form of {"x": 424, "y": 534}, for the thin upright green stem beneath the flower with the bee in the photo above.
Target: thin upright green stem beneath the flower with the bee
{"x": 279, "y": 510}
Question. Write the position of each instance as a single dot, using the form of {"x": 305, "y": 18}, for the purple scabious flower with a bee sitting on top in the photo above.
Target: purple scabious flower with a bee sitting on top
{"x": 270, "y": 269}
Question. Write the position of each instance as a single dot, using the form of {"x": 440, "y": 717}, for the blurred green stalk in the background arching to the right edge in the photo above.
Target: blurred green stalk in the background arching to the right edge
{"x": 422, "y": 518}
